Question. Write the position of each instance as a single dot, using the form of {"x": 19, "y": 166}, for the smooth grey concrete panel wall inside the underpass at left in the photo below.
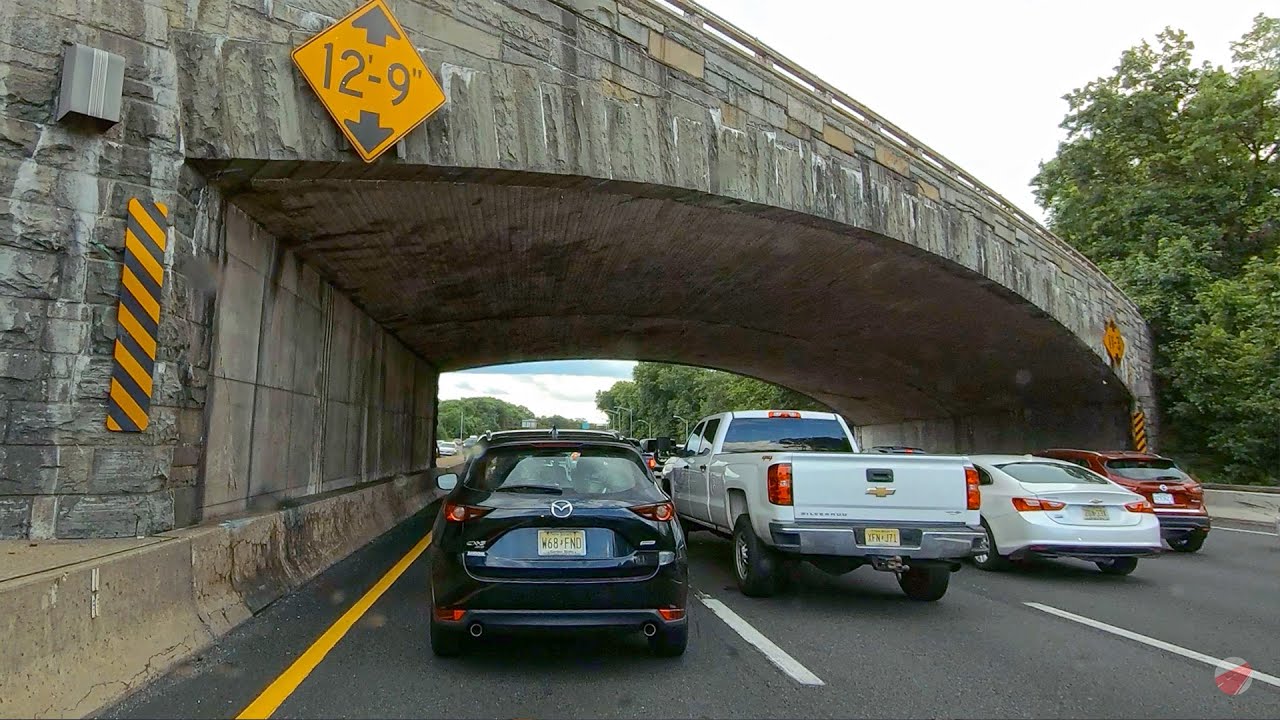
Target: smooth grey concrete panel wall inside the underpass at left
{"x": 308, "y": 394}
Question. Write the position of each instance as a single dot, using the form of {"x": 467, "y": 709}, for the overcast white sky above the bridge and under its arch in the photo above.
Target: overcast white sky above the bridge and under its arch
{"x": 981, "y": 83}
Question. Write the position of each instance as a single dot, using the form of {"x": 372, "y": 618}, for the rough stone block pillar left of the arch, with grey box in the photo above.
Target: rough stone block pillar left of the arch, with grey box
{"x": 63, "y": 194}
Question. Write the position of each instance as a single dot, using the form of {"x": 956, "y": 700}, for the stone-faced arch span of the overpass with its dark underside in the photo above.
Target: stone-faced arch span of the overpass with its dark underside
{"x": 609, "y": 180}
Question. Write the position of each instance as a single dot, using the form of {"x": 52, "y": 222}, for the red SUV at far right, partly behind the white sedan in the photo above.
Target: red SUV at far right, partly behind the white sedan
{"x": 1180, "y": 500}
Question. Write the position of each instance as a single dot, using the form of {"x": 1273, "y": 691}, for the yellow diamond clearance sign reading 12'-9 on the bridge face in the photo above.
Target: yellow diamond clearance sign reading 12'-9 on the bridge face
{"x": 371, "y": 79}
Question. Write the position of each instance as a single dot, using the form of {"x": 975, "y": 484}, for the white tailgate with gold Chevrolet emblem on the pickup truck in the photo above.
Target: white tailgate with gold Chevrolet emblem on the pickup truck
{"x": 842, "y": 487}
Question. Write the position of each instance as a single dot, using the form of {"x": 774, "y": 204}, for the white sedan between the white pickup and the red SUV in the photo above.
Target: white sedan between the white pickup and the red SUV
{"x": 1041, "y": 508}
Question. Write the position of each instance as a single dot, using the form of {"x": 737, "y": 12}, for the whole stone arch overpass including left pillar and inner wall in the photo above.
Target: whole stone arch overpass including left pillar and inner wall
{"x": 610, "y": 179}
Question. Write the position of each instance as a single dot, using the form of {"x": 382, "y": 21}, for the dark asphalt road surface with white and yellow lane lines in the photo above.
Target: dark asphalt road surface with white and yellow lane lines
{"x": 1057, "y": 640}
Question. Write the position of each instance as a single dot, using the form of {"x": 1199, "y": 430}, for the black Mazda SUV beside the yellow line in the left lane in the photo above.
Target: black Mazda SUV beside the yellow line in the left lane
{"x": 557, "y": 530}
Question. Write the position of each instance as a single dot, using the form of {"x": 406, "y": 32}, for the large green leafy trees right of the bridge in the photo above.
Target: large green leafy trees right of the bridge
{"x": 1169, "y": 179}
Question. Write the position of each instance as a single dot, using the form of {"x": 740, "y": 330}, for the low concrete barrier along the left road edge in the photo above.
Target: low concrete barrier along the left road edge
{"x": 81, "y": 637}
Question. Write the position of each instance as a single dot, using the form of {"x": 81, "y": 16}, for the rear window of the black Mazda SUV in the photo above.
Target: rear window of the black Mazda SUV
{"x": 610, "y": 473}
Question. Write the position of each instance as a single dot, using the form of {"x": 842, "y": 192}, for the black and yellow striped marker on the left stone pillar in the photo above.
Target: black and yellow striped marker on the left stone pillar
{"x": 139, "y": 315}
